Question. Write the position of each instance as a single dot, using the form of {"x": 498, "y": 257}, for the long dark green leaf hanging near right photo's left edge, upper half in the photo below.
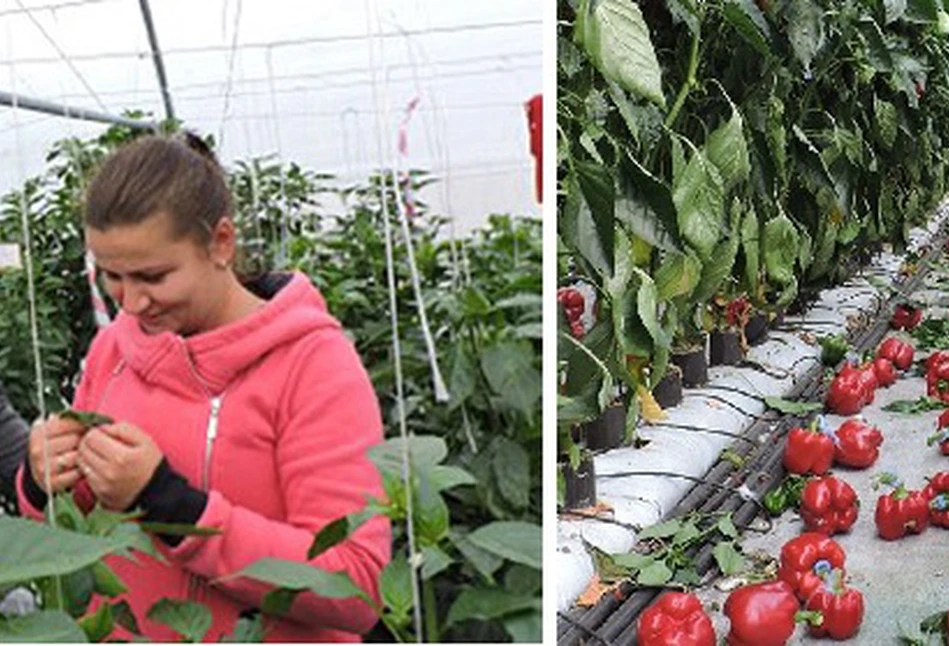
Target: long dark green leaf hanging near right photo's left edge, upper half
{"x": 595, "y": 224}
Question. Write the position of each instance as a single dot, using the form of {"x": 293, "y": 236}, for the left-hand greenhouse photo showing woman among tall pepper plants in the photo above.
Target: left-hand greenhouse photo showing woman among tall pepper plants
{"x": 310, "y": 412}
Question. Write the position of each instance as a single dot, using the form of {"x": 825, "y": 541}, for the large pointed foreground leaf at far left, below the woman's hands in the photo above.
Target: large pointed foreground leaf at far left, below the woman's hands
{"x": 29, "y": 550}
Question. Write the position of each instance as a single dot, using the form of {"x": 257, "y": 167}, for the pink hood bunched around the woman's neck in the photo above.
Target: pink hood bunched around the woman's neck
{"x": 214, "y": 359}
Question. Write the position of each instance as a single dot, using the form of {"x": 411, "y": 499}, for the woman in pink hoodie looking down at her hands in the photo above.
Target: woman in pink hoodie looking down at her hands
{"x": 238, "y": 406}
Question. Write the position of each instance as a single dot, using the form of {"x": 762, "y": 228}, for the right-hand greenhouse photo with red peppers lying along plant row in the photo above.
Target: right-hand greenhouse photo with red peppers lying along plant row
{"x": 753, "y": 307}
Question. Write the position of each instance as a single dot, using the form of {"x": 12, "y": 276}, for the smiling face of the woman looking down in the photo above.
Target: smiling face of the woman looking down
{"x": 168, "y": 284}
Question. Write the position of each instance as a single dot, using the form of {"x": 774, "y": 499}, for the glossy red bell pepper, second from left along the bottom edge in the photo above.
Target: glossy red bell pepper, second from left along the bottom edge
{"x": 761, "y": 614}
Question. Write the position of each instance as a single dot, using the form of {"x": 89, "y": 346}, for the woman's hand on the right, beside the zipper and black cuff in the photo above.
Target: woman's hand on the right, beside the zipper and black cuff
{"x": 117, "y": 461}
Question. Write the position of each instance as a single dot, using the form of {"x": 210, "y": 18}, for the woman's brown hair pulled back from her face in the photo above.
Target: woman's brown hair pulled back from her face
{"x": 158, "y": 174}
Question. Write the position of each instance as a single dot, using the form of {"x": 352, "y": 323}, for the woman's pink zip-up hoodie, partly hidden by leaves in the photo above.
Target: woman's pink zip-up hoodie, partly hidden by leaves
{"x": 284, "y": 454}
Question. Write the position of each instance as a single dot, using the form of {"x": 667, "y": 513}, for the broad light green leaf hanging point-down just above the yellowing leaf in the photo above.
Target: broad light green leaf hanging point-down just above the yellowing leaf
{"x": 698, "y": 197}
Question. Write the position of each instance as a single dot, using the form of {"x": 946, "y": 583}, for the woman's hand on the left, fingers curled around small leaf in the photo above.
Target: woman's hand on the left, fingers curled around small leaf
{"x": 53, "y": 447}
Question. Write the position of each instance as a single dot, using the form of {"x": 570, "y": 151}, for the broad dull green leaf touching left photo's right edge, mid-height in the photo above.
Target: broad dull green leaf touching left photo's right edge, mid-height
{"x": 509, "y": 367}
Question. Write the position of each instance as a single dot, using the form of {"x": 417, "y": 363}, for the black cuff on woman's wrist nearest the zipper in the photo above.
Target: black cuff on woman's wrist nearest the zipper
{"x": 168, "y": 498}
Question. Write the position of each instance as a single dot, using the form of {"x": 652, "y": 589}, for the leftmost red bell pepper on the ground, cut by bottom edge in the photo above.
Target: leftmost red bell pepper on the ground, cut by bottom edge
{"x": 677, "y": 619}
